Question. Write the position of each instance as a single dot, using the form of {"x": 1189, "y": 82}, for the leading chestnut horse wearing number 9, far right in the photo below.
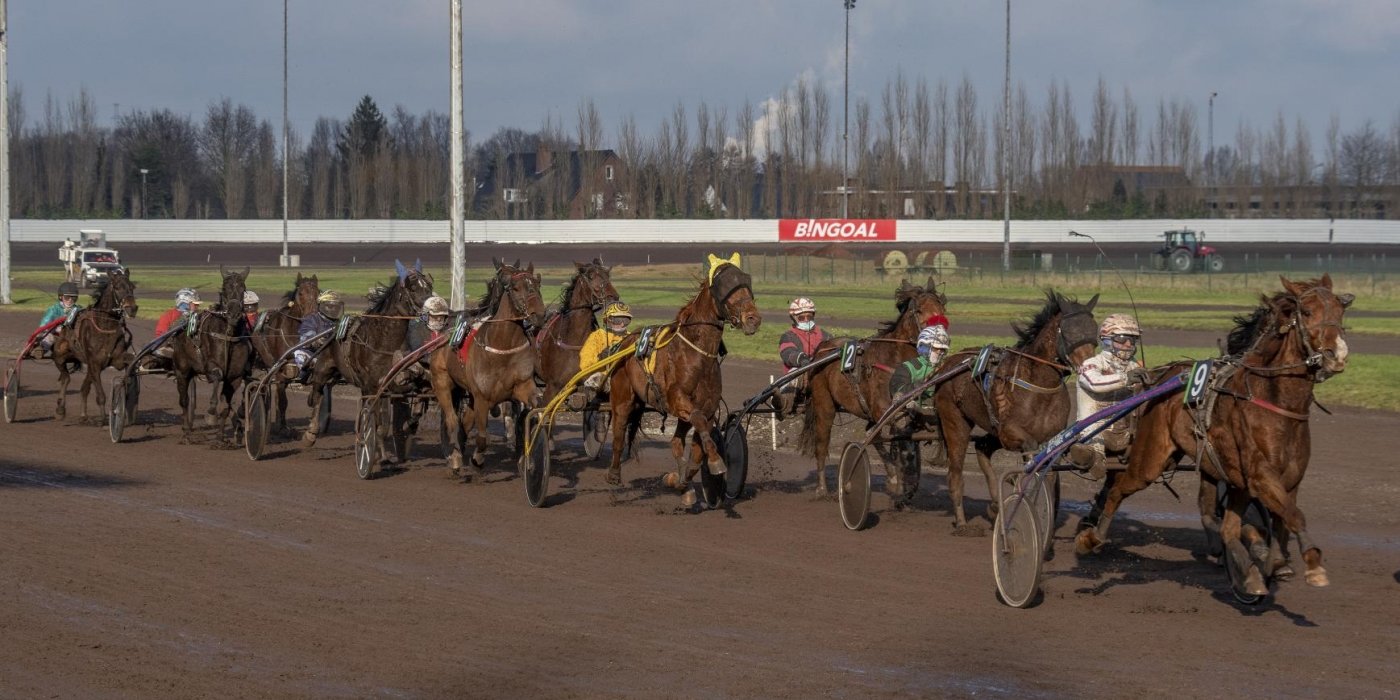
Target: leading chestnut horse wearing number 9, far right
{"x": 1255, "y": 428}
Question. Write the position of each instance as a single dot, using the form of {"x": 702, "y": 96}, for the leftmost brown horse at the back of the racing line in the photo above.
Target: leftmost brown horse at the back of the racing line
{"x": 97, "y": 339}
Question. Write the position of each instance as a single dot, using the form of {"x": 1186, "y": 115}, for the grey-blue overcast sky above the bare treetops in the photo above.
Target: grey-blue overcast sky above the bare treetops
{"x": 530, "y": 58}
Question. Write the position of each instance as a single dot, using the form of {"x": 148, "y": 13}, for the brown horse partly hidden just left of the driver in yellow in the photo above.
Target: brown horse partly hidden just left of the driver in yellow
{"x": 568, "y": 328}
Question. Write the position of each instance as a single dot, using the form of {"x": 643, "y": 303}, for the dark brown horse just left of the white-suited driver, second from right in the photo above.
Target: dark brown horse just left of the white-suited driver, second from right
{"x": 1020, "y": 397}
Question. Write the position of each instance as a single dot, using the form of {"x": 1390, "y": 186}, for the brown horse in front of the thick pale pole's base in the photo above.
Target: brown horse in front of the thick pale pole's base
{"x": 496, "y": 362}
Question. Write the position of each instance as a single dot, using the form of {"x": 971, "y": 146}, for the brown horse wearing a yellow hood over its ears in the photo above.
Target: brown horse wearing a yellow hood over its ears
{"x": 681, "y": 376}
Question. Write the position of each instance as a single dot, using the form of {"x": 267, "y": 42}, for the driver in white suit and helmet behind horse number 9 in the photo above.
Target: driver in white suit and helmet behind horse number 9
{"x": 1107, "y": 379}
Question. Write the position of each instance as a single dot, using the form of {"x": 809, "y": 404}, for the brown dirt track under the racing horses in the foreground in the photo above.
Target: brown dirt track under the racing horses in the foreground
{"x": 155, "y": 569}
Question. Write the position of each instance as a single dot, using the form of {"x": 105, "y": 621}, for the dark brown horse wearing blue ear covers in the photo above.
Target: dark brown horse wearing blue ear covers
{"x": 367, "y": 346}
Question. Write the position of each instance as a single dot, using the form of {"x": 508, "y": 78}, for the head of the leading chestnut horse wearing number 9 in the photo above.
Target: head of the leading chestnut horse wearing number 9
{"x": 1317, "y": 313}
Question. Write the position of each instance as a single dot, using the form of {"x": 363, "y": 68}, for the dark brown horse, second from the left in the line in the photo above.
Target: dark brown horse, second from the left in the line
{"x": 215, "y": 346}
